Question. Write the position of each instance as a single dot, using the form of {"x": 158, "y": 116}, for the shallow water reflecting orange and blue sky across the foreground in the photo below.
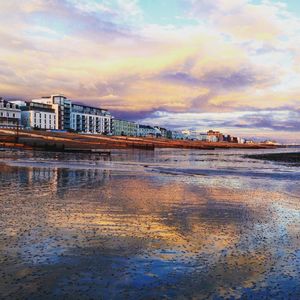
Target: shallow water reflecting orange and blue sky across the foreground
{"x": 186, "y": 224}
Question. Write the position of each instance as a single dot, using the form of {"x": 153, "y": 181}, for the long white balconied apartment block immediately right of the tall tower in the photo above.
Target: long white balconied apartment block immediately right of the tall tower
{"x": 90, "y": 119}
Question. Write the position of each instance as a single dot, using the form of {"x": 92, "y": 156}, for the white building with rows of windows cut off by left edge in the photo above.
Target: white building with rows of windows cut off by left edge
{"x": 10, "y": 114}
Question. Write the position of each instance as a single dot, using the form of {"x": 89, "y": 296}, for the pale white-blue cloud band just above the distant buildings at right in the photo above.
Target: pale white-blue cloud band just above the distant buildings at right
{"x": 282, "y": 125}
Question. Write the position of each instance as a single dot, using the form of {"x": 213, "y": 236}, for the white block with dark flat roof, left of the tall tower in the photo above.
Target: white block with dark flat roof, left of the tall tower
{"x": 37, "y": 115}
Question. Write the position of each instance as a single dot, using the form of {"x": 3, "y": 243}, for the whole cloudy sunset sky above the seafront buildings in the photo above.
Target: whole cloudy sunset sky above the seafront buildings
{"x": 229, "y": 65}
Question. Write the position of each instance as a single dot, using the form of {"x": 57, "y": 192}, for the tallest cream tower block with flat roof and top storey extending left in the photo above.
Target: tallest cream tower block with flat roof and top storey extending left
{"x": 62, "y": 108}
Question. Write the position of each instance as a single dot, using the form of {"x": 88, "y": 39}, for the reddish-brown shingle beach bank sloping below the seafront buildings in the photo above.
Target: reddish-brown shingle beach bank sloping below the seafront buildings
{"x": 75, "y": 142}
